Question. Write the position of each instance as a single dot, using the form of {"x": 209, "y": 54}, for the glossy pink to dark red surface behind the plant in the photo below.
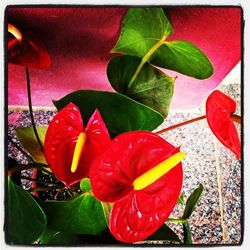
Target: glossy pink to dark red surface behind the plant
{"x": 79, "y": 41}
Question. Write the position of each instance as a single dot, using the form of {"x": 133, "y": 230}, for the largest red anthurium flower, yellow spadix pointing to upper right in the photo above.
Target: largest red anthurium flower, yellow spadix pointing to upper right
{"x": 141, "y": 174}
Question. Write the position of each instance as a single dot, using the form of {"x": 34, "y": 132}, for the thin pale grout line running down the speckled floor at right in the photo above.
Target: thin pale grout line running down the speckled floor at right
{"x": 219, "y": 181}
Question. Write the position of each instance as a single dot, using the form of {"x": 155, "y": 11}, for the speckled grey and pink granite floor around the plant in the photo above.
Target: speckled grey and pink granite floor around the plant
{"x": 203, "y": 153}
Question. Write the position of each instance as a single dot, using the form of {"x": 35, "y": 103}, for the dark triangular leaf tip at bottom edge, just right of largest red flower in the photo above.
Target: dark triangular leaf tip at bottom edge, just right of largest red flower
{"x": 165, "y": 233}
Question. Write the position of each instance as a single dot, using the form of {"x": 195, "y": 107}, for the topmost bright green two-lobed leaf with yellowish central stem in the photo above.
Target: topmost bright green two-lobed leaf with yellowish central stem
{"x": 143, "y": 34}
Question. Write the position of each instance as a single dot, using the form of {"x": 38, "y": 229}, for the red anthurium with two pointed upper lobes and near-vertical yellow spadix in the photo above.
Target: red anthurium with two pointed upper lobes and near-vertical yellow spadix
{"x": 70, "y": 148}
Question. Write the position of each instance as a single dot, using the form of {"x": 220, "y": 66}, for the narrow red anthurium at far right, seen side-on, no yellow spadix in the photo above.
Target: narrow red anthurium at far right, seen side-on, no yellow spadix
{"x": 219, "y": 112}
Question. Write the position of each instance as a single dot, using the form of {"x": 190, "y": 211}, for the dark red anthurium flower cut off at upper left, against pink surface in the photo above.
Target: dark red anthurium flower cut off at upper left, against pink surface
{"x": 26, "y": 52}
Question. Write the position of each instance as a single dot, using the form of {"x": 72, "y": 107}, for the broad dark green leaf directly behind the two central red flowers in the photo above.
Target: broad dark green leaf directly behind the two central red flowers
{"x": 120, "y": 113}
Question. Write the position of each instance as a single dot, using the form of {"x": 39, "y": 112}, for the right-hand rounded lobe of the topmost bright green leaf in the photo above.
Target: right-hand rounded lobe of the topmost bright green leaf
{"x": 183, "y": 57}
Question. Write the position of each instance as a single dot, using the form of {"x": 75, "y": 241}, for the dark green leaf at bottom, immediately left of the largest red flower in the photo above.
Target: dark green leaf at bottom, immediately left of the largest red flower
{"x": 81, "y": 215}
